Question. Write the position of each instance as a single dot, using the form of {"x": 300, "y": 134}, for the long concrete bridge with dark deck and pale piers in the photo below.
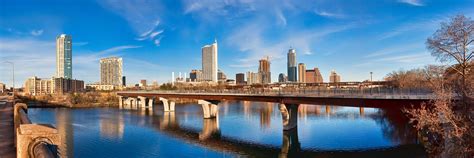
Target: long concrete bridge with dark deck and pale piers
{"x": 288, "y": 102}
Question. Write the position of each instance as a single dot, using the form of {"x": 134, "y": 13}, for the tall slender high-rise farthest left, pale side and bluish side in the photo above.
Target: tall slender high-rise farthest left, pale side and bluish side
{"x": 64, "y": 56}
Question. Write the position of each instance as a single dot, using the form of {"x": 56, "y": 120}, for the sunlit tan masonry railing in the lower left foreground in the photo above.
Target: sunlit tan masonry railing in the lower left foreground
{"x": 33, "y": 140}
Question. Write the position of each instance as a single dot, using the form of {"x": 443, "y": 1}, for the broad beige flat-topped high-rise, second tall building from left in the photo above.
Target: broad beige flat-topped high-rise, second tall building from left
{"x": 111, "y": 71}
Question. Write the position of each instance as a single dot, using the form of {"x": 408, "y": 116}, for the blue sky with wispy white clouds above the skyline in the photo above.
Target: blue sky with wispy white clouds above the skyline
{"x": 156, "y": 38}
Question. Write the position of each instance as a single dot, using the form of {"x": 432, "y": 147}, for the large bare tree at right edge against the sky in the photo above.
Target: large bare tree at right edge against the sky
{"x": 453, "y": 42}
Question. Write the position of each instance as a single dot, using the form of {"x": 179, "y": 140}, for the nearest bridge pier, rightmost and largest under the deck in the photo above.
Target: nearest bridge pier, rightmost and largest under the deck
{"x": 289, "y": 114}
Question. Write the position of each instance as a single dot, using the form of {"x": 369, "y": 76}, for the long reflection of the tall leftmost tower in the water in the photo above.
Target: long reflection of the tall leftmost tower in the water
{"x": 66, "y": 132}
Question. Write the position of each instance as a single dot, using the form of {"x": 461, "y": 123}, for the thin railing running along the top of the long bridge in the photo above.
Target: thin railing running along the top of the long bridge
{"x": 386, "y": 93}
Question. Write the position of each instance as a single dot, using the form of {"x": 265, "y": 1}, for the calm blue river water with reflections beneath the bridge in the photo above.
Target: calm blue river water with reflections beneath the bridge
{"x": 241, "y": 129}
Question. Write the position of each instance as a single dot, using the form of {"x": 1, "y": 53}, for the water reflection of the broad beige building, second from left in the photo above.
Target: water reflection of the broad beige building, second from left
{"x": 112, "y": 126}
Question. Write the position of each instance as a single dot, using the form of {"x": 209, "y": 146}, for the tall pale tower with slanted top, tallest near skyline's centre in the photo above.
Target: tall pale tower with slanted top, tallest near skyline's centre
{"x": 209, "y": 62}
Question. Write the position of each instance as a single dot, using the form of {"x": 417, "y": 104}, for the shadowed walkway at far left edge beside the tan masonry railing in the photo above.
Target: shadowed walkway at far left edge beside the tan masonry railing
{"x": 7, "y": 146}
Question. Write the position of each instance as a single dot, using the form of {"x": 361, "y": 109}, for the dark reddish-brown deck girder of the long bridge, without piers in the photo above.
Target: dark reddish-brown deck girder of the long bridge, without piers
{"x": 346, "y": 100}
